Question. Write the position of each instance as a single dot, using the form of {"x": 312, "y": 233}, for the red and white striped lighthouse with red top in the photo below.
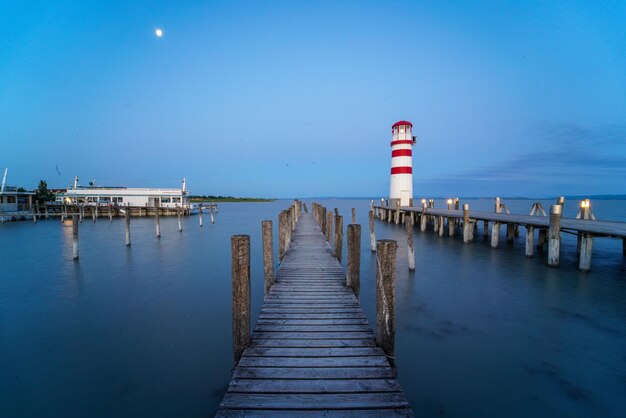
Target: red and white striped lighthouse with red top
{"x": 402, "y": 140}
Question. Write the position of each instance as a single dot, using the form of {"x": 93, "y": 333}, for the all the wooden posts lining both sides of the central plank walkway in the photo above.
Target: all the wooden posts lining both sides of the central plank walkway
{"x": 385, "y": 272}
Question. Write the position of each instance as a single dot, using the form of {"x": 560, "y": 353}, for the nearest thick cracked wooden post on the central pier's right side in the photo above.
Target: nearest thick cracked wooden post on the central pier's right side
{"x": 386, "y": 298}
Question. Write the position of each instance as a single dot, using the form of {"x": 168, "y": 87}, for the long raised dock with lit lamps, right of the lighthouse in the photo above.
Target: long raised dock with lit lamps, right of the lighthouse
{"x": 548, "y": 226}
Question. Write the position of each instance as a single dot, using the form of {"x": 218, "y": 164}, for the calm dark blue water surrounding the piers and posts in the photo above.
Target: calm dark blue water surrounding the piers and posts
{"x": 145, "y": 330}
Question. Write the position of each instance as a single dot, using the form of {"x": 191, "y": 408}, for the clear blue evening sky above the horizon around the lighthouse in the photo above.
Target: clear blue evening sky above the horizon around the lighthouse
{"x": 297, "y": 98}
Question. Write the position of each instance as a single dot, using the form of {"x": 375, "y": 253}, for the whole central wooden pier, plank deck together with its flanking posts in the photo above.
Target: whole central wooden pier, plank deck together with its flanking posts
{"x": 312, "y": 352}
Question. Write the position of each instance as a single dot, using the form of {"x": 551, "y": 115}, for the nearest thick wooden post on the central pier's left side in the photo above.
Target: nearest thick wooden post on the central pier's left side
{"x": 240, "y": 247}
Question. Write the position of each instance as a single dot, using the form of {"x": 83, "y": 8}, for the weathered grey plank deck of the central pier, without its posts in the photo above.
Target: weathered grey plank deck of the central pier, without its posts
{"x": 313, "y": 352}
